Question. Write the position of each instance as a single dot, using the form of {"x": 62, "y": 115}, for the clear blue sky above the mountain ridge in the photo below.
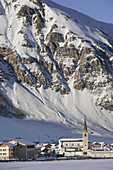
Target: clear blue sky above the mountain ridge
{"x": 101, "y": 10}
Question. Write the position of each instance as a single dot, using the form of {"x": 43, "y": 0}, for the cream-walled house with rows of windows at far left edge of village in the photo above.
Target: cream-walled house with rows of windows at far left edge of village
{"x": 7, "y": 151}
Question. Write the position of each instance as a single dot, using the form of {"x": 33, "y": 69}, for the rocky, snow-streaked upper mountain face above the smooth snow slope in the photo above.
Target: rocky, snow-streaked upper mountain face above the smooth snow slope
{"x": 41, "y": 46}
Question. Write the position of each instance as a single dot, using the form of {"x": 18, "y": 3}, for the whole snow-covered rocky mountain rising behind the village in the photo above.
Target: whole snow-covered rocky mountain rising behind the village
{"x": 55, "y": 68}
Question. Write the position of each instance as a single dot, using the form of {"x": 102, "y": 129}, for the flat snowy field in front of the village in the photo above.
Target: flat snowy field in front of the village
{"x": 60, "y": 165}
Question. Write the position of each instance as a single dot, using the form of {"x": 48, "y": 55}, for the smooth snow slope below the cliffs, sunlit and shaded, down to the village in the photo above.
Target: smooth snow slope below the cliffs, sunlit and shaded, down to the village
{"x": 49, "y": 117}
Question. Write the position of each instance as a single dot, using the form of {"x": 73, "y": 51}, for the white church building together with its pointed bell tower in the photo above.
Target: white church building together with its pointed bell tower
{"x": 75, "y": 146}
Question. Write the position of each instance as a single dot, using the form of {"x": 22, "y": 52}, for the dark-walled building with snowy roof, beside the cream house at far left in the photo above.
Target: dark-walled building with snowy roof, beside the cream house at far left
{"x": 24, "y": 150}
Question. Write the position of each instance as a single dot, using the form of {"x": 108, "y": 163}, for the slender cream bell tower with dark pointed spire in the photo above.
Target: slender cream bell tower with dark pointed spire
{"x": 85, "y": 138}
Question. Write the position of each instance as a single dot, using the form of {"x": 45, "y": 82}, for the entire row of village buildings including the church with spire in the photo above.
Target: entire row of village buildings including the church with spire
{"x": 19, "y": 149}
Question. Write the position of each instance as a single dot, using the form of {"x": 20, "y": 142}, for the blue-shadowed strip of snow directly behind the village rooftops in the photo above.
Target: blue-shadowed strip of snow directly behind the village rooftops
{"x": 41, "y": 131}
